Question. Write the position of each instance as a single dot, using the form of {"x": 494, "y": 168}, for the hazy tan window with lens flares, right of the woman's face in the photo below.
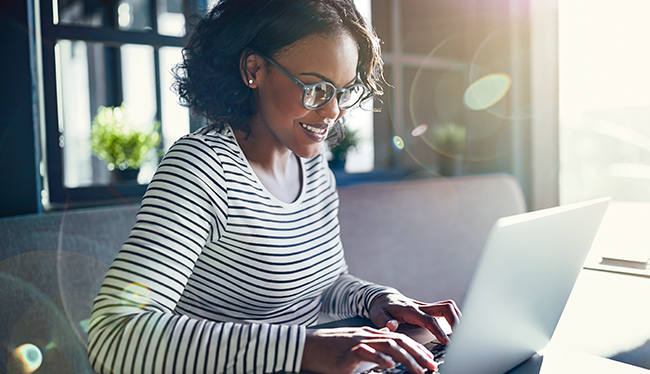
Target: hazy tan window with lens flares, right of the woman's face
{"x": 437, "y": 54}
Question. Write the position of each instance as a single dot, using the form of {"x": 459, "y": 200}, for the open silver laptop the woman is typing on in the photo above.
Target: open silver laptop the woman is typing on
{"x": 521, "y": 284}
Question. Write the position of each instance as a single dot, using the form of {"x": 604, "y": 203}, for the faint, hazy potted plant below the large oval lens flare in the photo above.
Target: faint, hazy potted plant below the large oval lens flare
{"x": 450, "y": 140}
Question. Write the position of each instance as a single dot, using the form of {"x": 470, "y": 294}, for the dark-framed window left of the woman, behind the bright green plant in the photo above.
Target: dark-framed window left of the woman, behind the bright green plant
{"x": 107, "y": 53}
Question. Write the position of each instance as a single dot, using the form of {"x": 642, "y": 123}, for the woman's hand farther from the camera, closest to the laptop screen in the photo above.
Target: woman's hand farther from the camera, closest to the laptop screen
{"x": 392, "y": 309}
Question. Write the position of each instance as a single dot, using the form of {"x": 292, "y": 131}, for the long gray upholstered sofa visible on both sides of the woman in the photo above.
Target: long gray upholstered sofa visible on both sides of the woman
{"x": 423, "y": 237}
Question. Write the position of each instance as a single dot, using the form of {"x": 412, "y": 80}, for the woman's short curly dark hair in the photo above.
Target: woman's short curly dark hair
{"x": 209, "y": 82}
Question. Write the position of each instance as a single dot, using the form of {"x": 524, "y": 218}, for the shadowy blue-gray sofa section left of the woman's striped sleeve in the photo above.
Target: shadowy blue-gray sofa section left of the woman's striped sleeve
{"x": 51, "y": 267}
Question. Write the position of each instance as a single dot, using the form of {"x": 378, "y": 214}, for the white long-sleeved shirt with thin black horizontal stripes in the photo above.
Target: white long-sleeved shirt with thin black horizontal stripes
{"x": 219, "y": 276}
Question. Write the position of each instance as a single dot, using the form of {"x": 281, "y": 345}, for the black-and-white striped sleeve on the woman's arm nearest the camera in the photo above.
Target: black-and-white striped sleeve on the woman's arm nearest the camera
{"x": 135, "y": 327}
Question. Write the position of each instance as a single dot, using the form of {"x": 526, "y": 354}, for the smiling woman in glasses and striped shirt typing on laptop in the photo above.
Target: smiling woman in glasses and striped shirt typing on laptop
{"x": 236, "y": 250}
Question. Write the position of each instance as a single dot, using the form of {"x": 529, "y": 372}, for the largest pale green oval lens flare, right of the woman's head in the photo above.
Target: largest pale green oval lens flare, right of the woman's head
{"x": 487, "y": 91}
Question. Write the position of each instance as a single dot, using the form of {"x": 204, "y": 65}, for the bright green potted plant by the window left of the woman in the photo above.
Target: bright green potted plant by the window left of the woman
{"x": 124, "y": 145}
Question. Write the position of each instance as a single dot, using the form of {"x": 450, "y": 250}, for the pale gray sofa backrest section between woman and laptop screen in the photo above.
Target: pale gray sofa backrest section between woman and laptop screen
{"x": 424, "y": 237}
